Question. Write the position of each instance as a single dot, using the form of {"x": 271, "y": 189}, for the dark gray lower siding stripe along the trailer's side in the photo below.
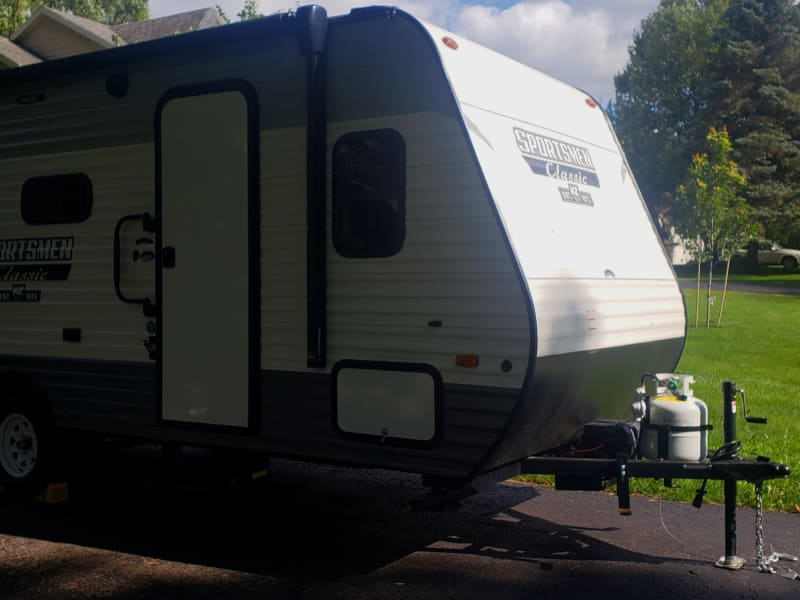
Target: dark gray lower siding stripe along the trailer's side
{"x": 296, "y": 415}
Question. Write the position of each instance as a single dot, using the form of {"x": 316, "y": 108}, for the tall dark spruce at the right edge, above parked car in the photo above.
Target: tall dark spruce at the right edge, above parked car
{"x": 758, "y": 96}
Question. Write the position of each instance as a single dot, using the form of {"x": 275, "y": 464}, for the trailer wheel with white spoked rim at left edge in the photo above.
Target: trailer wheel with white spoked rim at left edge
{"x": 25, "y": 447}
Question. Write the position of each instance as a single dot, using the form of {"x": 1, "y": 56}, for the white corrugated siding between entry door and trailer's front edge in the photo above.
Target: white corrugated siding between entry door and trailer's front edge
{"x": 453, "y": 267}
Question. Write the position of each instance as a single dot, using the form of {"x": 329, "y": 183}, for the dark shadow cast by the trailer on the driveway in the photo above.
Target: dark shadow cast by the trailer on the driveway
{"x": 311, "y": 531}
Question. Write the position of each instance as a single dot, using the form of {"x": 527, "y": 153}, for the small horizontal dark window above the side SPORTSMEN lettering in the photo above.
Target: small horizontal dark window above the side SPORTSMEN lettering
{"x": 56, "y": 199}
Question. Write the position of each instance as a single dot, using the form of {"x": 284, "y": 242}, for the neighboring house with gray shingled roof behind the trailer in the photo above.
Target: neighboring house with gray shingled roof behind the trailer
{"x": 49, "y": 34}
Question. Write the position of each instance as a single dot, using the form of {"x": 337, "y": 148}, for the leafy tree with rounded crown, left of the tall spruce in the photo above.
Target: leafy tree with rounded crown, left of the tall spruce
{"x": 660, "y": 107}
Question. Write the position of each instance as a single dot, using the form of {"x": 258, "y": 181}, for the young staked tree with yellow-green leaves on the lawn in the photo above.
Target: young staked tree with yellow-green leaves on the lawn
{"x": 711, "y": 211}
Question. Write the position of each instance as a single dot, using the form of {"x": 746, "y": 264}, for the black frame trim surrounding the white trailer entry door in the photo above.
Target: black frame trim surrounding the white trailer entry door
{"x": 250, "y": 96}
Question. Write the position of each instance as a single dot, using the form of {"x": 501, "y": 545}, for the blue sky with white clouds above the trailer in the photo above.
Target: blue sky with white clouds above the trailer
{"x": 583, "y": 42}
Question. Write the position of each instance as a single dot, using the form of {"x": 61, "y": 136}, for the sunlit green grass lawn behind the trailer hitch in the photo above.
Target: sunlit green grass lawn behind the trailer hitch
{"x": 758, "y": 347}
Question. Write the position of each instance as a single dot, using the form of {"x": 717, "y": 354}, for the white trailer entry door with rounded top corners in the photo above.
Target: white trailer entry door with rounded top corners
{"x": 207, "y": 281}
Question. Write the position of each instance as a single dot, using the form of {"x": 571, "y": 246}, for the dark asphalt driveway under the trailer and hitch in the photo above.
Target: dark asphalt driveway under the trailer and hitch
{"x": 320, "y": 532}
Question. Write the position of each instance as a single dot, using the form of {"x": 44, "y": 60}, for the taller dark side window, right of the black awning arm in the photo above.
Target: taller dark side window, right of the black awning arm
{"x": 369, "y": 194}
